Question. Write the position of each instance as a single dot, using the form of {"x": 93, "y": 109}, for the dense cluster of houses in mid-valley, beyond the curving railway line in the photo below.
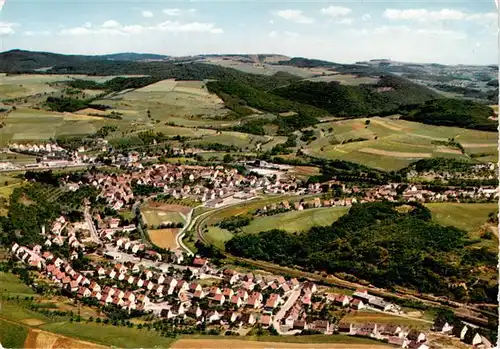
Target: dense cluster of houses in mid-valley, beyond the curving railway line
{"x": 197, "y": 183}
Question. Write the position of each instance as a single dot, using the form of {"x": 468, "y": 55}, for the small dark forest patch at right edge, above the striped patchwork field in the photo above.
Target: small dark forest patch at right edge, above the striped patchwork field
{"x": 452, "y": 112}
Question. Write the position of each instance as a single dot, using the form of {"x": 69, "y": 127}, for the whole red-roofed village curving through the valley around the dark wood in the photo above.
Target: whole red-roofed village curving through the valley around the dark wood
{"x": 124, "y": 271}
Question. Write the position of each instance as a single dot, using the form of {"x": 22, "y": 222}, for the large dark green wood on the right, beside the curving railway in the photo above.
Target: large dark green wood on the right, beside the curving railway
{"x": 387, "y": 244}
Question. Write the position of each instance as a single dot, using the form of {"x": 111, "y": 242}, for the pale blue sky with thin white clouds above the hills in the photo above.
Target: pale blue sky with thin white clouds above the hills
{"x": 446, "y": 31}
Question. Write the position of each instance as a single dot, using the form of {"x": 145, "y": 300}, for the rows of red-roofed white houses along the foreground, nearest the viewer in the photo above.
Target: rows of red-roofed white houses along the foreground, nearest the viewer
{"x": 238, "y": 300}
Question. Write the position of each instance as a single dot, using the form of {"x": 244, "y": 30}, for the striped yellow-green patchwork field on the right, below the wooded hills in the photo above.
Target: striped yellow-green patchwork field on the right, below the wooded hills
{"x": 391, "y": 144}
